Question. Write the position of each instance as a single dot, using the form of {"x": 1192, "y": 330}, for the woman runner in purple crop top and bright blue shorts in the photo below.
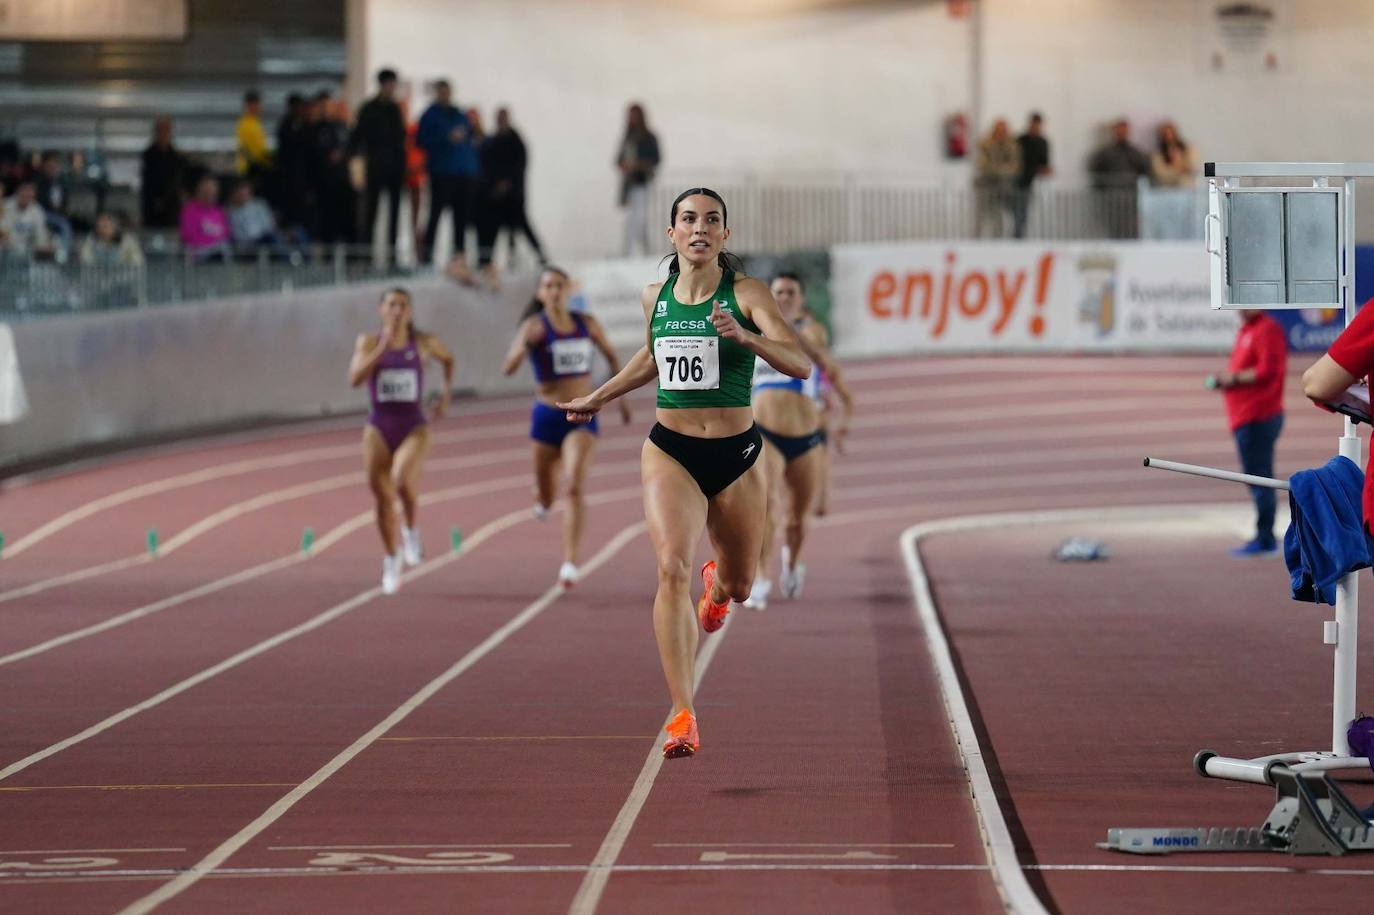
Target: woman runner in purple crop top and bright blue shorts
{"x": 560, "y": 346}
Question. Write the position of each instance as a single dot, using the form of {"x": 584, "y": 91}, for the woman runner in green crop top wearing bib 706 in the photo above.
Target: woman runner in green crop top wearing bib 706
{"x": 700, "y": 468}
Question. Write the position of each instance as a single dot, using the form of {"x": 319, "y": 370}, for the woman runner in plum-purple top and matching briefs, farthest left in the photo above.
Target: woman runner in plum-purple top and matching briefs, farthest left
{"x": 396, "y": 435}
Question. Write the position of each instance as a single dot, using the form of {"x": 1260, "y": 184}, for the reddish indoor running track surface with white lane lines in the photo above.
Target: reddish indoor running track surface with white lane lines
{"x": 236, "y": 726}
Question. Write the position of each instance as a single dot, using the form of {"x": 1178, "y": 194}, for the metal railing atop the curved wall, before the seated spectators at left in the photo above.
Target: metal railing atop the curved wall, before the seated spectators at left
{"x": 50, "y": 285}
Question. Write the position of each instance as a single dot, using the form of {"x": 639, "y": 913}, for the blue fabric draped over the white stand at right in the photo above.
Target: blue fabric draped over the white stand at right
{"x": 1327, "y": 539}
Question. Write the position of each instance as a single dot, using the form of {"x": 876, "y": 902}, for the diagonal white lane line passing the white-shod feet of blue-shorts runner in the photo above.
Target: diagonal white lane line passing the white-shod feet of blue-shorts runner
{"x": 227, "y": 848}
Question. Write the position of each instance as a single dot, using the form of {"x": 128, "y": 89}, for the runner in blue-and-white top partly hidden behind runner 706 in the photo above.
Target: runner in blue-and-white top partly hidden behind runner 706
{"x": 789, "y": 417}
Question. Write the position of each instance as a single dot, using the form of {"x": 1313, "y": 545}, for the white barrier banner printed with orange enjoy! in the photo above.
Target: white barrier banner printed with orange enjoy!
{"x": 1024, "y": 297}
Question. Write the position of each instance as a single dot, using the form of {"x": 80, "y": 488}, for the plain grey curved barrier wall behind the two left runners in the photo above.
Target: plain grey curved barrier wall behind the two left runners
{"x": 111, "y": 377}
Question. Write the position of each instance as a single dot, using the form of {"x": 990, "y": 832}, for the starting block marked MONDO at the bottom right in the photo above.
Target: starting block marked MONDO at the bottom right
{"x": 1311, "y": 817}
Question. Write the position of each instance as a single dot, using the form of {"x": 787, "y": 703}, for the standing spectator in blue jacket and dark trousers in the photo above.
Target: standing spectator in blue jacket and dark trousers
{"x": 447, "y": 139}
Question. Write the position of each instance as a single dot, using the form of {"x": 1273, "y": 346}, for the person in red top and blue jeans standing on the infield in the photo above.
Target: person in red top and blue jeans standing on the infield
{"x": 1254, "y": 389}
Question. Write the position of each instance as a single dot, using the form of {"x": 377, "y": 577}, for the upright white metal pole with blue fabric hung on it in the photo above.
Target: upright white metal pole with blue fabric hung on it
{"x": 1347, "y": 590}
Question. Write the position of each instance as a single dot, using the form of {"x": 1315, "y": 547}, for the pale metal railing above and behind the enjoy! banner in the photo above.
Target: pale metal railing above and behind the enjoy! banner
{"x": 784, "y": 216}
